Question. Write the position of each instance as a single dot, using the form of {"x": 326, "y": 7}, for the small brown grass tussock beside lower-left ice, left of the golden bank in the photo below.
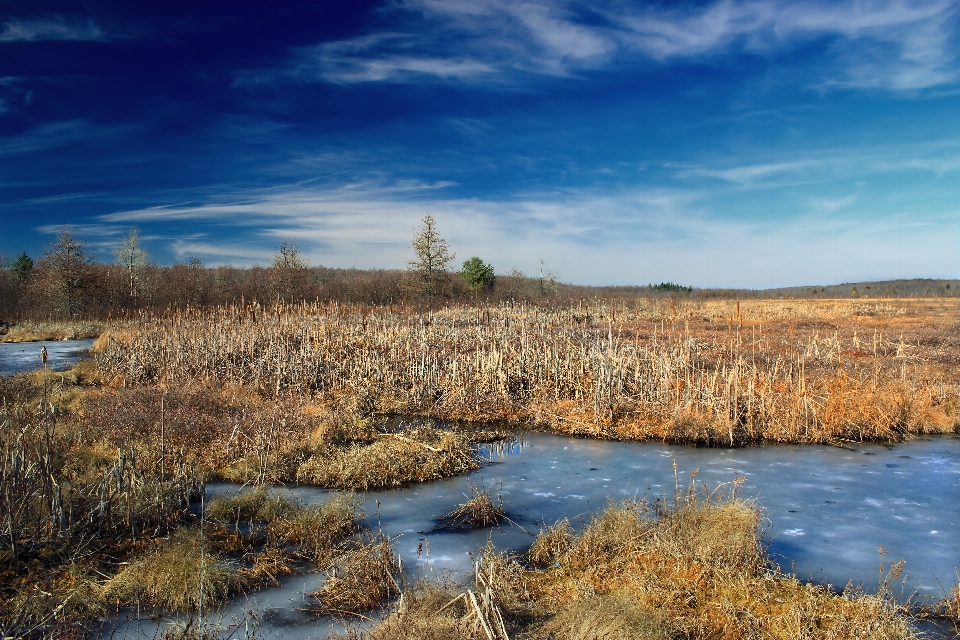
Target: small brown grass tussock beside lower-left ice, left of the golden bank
{"x": 363, "y": 579}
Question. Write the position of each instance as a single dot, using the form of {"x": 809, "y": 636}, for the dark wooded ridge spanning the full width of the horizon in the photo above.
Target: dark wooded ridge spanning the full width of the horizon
{"x": 68, "y": 283}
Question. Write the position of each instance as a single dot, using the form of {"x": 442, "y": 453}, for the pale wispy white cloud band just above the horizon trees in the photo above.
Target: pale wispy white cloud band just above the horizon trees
{"x": 633, "y": 236}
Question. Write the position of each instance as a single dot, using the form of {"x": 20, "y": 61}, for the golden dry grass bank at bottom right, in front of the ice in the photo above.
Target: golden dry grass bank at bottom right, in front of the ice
{"x": 693, "y": 567}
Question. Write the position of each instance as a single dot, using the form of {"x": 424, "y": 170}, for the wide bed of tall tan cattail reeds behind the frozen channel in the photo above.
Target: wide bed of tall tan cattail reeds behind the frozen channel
{"x": 712, "y": 373}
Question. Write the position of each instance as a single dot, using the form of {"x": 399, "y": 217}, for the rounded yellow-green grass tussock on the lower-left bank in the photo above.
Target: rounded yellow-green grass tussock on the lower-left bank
{"x": 181, "y": 575}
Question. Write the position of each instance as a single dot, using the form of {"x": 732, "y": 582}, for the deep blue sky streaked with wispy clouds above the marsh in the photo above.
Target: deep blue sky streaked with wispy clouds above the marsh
{"x": 755, "y": 144}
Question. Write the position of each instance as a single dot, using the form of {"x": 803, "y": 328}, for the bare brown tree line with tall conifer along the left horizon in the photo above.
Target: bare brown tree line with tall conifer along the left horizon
{"x": 67, "y": 281}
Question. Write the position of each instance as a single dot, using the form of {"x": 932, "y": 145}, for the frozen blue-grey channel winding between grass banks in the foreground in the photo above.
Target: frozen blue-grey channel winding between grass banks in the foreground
{"x": 828, "y": 510}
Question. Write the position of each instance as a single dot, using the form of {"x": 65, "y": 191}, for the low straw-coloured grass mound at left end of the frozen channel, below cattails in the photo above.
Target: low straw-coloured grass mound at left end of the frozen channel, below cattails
{"x": 391, "y": 461}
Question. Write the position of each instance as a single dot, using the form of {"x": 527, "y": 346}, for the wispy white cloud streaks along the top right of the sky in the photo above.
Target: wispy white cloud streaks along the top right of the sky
{"x": 892, "y": 45}
